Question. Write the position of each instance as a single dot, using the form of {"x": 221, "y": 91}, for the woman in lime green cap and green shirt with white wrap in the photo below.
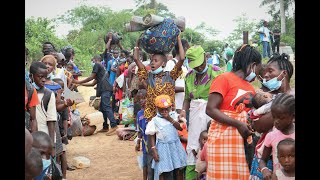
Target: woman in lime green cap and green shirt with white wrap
{"x": 197, "y": 85}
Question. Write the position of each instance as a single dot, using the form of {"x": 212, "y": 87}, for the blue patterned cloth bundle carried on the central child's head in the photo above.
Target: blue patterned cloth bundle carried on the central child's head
{"x": 160, "y": 38}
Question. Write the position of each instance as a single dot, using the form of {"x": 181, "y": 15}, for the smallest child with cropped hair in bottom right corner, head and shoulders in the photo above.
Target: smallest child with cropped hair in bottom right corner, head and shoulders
{"x": 286, "y": 155}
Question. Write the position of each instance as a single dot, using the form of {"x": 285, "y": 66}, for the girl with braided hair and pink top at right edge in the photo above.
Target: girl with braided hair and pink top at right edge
{"x": 283, "y": 113}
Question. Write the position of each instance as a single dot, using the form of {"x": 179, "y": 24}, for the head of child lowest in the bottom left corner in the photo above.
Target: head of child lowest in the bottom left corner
{"x": 33, "y": 164}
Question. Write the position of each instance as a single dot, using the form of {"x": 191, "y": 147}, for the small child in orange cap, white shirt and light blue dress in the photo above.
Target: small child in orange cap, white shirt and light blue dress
{"x": 168, "y": 152}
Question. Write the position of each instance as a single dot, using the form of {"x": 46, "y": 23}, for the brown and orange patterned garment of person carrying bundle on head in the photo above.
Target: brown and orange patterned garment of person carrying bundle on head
{"x": 166, "y": 88}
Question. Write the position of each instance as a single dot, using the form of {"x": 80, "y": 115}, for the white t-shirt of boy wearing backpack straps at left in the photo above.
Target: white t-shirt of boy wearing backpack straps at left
{"x": 50, "y": 115}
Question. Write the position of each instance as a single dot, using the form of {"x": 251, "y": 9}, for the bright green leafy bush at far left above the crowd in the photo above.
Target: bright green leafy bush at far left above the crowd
{"x": 38, "y": 31}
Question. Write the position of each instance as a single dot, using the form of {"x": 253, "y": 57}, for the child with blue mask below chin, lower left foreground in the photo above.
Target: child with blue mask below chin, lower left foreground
{"x": 43, "y": 143}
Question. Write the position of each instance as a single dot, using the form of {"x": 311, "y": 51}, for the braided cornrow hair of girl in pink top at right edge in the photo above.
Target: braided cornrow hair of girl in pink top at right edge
{"x": 287, "y": 100}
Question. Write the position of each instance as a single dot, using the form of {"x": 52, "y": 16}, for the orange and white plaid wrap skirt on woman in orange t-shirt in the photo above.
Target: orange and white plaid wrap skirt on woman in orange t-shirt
{"x": 226, "y": 155}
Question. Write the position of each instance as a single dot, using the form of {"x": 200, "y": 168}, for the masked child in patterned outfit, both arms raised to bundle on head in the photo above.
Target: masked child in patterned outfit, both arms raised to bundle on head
{"x": 157, "y": 81}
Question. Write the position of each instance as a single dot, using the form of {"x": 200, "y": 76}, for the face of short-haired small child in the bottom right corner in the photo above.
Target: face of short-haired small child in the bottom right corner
{"x": 286, "y": 156}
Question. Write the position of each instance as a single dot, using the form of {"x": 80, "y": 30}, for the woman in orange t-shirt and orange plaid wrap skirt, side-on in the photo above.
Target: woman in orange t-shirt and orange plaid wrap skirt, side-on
{"x": 228, "y": 104}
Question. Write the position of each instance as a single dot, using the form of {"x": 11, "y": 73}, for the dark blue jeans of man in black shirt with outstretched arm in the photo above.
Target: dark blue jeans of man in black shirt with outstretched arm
{"x": 106, "y": 110}
